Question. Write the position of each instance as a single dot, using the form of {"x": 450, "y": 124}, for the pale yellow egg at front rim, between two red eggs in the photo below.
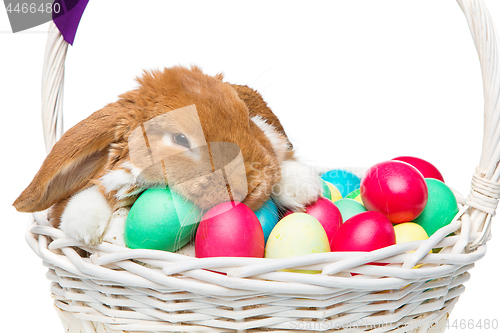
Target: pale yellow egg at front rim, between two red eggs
{"x": 295, "y": 235}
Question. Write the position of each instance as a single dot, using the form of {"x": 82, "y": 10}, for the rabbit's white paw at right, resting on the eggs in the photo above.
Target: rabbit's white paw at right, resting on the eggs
{"x": 299, "y": 186}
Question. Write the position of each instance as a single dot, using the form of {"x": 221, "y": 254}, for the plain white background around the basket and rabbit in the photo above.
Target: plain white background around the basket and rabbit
{"x": 353, "y": 82}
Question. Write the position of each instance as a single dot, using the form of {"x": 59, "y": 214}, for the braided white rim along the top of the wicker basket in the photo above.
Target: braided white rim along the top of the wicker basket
{"x": 334, "y": 265}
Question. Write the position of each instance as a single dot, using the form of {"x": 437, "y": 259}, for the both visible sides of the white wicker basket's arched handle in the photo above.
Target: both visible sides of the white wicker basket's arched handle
{"x": 485, "y": 191}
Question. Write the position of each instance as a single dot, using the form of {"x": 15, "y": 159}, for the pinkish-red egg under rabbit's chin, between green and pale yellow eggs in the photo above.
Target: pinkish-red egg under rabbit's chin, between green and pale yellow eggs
{"x": 230, "y": 229}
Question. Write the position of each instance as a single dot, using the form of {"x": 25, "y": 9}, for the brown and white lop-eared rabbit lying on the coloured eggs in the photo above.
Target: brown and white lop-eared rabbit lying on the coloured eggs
{"x": 90, "y": 176}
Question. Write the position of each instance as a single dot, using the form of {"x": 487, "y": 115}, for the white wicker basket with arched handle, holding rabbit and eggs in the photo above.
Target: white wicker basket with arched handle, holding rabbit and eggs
{"x": 115, "y": 289}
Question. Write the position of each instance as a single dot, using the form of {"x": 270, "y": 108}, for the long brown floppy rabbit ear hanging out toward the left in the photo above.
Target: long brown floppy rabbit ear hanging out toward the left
{"x": 79, "y": 156}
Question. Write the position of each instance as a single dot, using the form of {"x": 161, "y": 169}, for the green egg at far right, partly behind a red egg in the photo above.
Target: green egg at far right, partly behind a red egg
{"x": 441, "y": 207}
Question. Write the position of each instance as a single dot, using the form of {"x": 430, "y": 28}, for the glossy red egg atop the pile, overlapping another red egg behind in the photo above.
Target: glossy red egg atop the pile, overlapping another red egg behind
{"x": 395, "y": 189}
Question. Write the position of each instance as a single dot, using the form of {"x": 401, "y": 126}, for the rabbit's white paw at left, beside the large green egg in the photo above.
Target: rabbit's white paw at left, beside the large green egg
{"x": 86, "y": 216}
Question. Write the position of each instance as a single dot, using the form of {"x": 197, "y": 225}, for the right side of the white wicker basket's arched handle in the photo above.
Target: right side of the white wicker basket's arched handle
{"x": 485, "y": 191}
